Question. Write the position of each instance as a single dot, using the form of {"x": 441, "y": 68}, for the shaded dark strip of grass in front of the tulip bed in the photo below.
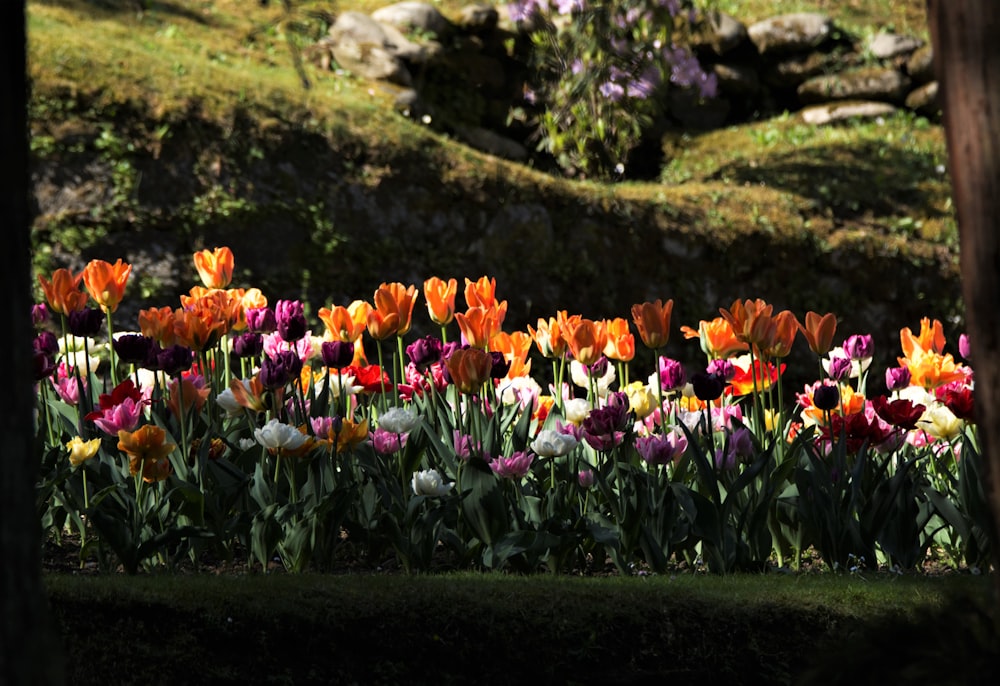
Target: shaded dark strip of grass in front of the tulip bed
{"x": 498, "y": 629}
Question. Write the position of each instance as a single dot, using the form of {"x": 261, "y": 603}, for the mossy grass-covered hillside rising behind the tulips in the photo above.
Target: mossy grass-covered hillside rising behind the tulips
{"x": 186, "y": 126}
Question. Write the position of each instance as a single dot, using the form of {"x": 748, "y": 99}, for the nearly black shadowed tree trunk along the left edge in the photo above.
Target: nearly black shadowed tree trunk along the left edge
{"x": 26, "y": 637}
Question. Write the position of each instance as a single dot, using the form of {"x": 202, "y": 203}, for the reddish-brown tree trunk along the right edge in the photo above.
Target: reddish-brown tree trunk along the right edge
{"x": 967, "y": 59}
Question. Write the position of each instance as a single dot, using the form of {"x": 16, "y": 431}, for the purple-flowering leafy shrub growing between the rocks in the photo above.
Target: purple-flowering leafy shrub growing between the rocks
{"x": 600, "y": 74}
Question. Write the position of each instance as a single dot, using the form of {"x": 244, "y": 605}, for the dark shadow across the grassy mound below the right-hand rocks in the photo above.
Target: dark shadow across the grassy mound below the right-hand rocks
{"x": 847, "y": 181}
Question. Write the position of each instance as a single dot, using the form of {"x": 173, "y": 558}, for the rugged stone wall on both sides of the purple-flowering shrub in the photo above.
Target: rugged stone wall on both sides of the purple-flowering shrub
{"x": 464, "y": 73}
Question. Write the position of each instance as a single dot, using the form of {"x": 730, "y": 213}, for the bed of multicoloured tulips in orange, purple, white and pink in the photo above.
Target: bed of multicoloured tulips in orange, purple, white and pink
{"x": 226, "y": 426}
